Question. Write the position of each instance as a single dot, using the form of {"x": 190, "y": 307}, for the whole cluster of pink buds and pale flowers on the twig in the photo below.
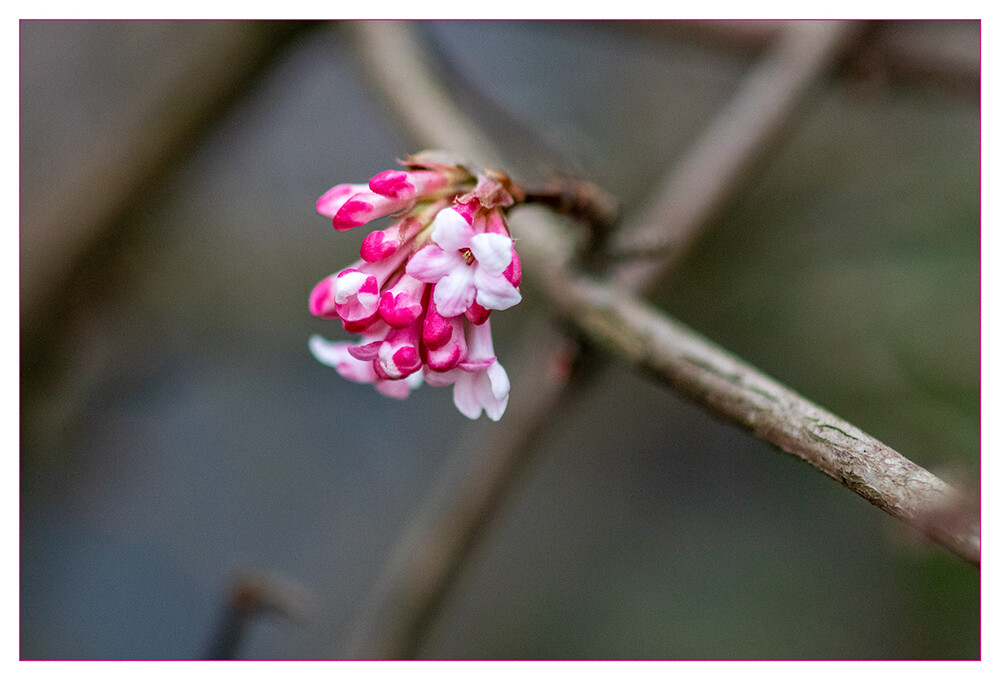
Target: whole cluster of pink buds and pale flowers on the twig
{"x": 421, "y": 295}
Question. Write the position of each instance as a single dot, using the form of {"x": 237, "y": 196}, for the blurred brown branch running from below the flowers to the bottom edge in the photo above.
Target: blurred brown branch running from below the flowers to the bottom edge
{"x": 440, "y": 536}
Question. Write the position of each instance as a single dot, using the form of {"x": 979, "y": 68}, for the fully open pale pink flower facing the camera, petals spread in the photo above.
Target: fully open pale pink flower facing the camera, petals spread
{"x": 466, "y": 266}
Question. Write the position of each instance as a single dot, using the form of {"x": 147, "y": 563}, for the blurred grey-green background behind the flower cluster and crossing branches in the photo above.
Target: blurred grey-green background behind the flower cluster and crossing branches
{"x": 176, "y": 432}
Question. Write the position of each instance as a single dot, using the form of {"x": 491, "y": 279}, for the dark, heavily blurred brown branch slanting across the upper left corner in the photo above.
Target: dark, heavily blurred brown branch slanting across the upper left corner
{"x": 86, "y": 197}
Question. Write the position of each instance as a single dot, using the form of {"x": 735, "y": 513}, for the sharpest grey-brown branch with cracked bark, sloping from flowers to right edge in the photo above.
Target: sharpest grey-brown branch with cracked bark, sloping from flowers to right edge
{"x": 735, "y": 390}
